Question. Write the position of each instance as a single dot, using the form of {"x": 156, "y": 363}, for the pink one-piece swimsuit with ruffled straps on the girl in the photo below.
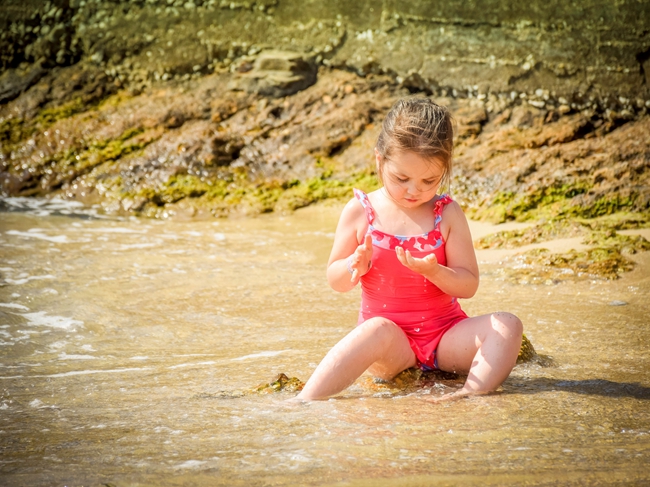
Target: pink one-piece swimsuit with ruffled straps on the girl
{"x": 393, "y": 291}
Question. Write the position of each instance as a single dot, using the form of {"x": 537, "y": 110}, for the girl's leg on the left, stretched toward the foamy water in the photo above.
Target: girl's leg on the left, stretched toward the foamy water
{"x": 378, "y": 344}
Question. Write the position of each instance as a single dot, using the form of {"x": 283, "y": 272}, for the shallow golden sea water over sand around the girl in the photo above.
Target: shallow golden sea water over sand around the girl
{"x": 124, "y": 343}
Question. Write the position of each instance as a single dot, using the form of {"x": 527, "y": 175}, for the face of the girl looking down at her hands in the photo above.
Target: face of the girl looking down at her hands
{"x": 409, "y": 179}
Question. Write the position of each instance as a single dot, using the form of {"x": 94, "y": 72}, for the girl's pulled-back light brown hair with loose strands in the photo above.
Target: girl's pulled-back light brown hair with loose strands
{"x": 421, "y": 126}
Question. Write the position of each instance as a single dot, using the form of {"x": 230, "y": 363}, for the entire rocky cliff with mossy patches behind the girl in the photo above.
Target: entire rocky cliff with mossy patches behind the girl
{"x": 164, "y": 107}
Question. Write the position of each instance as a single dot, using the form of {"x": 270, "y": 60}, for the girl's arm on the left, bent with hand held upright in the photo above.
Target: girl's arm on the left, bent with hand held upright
{"x": 352, "y": 250}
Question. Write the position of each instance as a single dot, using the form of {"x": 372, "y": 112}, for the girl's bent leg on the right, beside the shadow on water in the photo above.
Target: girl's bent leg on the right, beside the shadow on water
{"x": 483, "y": 347}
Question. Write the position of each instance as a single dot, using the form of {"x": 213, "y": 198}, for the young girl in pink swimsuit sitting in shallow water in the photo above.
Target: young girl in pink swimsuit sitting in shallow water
{"x": 412, "y": 251}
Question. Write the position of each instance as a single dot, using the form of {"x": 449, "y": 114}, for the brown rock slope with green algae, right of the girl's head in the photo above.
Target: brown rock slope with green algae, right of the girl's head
{"x": 590, "y": 175}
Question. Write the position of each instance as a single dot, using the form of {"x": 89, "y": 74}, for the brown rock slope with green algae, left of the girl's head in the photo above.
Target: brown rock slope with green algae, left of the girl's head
{"x": 254, "y": 157}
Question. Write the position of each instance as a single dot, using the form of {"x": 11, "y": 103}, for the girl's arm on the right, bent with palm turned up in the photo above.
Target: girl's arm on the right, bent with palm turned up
{"x": 460, "y": 277}
